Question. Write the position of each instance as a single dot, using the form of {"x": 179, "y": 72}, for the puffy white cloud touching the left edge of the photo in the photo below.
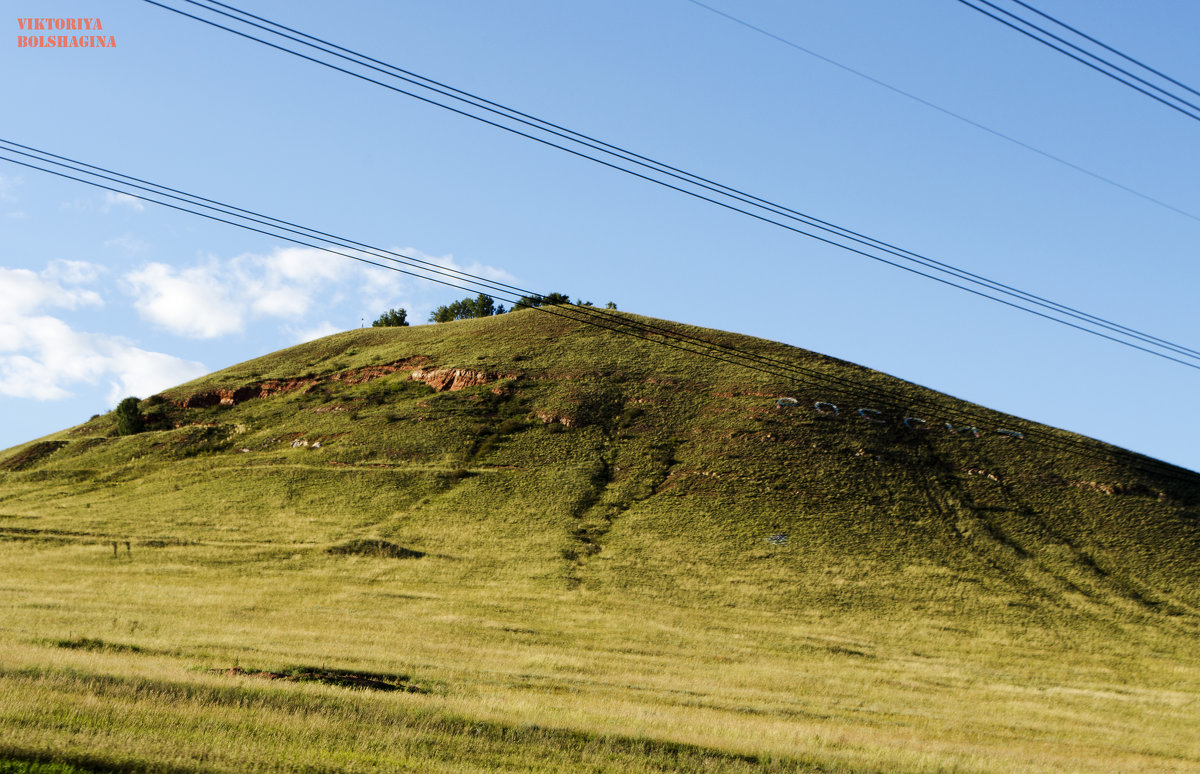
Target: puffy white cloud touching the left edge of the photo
{"x": 41, "y": 357}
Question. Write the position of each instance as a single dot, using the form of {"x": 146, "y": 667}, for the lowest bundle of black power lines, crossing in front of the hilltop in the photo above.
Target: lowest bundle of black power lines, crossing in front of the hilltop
{"x": 621, "y": 325}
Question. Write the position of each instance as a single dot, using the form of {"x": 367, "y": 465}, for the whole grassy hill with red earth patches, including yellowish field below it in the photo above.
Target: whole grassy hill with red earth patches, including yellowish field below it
{"x": 524, "y": 543}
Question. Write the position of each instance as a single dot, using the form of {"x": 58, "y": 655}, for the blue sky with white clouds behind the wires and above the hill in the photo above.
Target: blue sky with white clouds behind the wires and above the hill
{"x": 104, "y": 297}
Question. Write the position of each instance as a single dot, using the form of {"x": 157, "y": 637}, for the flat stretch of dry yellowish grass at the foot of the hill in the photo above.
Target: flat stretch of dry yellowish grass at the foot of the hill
{"x": 757, "y": 689}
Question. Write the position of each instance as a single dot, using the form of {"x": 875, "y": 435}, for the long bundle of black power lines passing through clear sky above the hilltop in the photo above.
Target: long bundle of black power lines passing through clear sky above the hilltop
{"x": 867, "y": 247}
